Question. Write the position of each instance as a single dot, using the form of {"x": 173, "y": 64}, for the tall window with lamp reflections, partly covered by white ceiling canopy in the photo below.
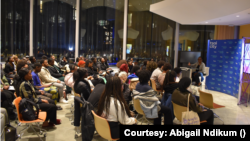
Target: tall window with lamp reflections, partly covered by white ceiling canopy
{"x": 149, "y": 35}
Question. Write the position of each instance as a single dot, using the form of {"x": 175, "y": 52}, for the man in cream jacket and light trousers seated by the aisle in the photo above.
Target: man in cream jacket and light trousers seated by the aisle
{"x": 46, "y": 78}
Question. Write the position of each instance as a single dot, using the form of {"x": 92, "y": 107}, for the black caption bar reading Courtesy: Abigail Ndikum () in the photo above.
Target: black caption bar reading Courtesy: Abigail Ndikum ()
{"x": 183, "y": 131}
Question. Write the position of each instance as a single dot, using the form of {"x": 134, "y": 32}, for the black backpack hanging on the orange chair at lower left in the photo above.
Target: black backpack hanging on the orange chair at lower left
{"x": 26, "y": 108}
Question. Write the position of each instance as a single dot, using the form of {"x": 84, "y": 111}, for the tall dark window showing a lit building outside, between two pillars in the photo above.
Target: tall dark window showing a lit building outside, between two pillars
{"x": 101, "y": 29}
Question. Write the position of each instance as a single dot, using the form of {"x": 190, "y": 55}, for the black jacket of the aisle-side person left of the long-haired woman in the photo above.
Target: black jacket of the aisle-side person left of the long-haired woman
{"x": 83, "y": 88}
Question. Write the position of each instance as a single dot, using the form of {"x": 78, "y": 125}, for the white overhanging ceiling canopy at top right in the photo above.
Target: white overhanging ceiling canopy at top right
{"x": 204, "y": 12}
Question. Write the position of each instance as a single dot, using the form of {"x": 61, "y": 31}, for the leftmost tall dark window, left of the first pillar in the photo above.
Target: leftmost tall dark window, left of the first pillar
{"x": 14, "y": 28}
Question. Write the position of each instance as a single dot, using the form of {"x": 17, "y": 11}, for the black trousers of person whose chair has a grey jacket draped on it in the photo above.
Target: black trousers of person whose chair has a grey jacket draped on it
{"x": 167, "y": 116}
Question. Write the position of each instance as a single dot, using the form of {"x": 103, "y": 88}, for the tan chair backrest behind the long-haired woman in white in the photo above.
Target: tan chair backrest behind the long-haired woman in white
{"x": 102, "y": 127}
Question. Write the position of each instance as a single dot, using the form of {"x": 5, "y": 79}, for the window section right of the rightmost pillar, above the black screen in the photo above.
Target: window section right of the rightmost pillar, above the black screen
{"x": 194, "y": 38}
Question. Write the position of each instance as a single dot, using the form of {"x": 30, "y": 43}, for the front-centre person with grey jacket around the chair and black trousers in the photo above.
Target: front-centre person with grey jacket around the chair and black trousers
{"x": 150, "y": 104}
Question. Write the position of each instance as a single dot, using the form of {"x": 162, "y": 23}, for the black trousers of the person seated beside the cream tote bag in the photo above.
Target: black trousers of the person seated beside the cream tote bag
{"x": 208, "y": 116}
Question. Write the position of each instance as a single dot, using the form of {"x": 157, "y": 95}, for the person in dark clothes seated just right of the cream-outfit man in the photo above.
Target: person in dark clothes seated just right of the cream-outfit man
{"x": 53, "y": 71}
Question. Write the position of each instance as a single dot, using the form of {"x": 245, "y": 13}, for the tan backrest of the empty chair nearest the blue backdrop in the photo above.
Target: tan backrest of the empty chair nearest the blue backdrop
{"x": 206, "y": 99}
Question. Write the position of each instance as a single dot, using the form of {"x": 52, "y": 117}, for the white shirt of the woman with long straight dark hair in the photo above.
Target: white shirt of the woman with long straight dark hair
{"x": 123, "y": 118}
